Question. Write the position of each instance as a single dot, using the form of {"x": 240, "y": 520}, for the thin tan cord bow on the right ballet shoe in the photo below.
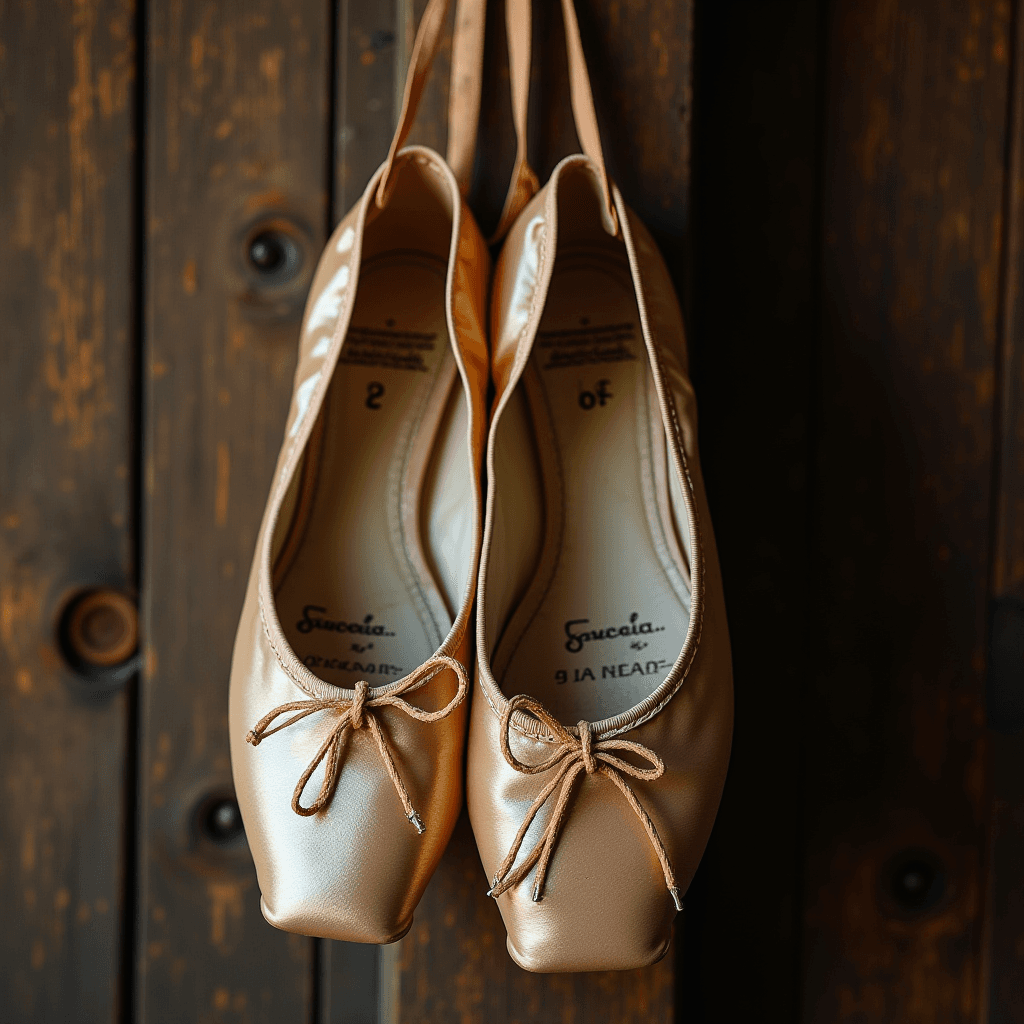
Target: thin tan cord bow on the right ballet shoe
{"x": 574, "y": 756}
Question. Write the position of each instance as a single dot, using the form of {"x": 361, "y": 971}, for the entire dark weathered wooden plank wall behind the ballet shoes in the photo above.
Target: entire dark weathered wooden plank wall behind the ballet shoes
{"x": 839, "y": 190}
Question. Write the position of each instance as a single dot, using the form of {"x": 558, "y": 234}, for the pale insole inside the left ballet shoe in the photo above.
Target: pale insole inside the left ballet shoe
{"x": 354, "y": 593}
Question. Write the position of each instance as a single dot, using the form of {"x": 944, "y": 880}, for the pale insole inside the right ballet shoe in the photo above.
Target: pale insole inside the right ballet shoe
{"x": 607, "y": 615}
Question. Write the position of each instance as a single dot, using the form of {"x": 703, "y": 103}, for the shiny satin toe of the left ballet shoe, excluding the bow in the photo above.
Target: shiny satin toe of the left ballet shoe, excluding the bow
{"x": 356, "y": 870}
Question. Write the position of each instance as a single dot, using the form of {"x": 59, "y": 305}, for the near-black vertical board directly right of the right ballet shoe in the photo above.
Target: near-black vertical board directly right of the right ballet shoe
{"x": 753, "y": 345}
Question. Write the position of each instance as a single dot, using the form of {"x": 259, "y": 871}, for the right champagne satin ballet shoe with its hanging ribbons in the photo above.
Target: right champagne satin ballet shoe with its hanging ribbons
{"x": 603, "y": 713}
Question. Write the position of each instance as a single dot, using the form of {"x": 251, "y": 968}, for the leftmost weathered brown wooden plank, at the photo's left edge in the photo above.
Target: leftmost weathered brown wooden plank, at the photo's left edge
{"x": 67, "y": 73}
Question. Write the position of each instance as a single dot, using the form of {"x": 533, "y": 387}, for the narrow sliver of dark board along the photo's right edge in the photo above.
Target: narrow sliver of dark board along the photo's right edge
{"x": 1004, "y": 988}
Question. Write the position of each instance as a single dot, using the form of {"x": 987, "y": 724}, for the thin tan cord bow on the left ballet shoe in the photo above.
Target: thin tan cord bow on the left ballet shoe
{"x": 357, "y": 713}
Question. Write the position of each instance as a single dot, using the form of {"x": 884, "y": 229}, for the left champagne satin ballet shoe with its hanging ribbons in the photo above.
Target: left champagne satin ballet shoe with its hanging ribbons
{"x": 348, "y": 693}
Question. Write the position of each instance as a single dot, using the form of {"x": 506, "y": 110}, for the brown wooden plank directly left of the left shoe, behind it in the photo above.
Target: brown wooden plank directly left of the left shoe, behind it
{"x": 237, "y": 109}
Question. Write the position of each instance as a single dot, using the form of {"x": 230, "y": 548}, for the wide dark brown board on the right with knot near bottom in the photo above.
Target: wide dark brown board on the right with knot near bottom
{"x": 894, "y": 716}
